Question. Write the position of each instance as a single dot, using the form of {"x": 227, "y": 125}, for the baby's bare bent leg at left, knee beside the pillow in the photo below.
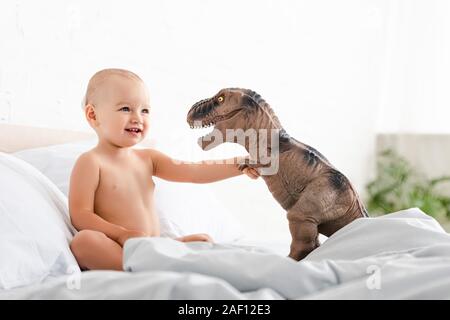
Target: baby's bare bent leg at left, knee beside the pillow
{"x": 94, "y": 250}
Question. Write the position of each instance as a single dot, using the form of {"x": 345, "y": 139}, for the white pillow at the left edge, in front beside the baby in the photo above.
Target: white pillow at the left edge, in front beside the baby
{"x": 35, "y": 229}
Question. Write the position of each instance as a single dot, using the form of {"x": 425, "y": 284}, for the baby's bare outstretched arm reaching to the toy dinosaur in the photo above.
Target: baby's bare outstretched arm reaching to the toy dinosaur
{"x": 167, "y": 168}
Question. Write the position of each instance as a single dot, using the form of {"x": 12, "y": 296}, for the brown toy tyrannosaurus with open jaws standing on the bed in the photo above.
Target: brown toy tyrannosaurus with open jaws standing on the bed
{"x": 317, "y": 197}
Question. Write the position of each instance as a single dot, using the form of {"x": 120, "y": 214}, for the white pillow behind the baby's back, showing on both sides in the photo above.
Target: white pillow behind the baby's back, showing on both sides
{"x": 183, "y": 208}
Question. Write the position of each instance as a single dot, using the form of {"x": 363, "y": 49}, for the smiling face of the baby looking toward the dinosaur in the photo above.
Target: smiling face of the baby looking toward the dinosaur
{"x": 122, "y": 111}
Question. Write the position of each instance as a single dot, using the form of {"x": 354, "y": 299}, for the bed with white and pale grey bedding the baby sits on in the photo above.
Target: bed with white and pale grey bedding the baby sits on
{"x": 404, "y": 255}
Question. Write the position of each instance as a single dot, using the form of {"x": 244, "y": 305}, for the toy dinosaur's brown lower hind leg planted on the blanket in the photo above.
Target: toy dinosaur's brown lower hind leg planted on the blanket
{"x": 305, "y": 238}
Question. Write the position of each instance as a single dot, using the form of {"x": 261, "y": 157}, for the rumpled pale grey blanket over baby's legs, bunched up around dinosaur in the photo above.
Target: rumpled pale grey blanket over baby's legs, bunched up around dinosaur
{"x": 402, "y": 255}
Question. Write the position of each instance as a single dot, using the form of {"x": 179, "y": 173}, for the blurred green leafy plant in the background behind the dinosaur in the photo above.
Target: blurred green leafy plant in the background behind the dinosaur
{"x": 399, "y": 186}
